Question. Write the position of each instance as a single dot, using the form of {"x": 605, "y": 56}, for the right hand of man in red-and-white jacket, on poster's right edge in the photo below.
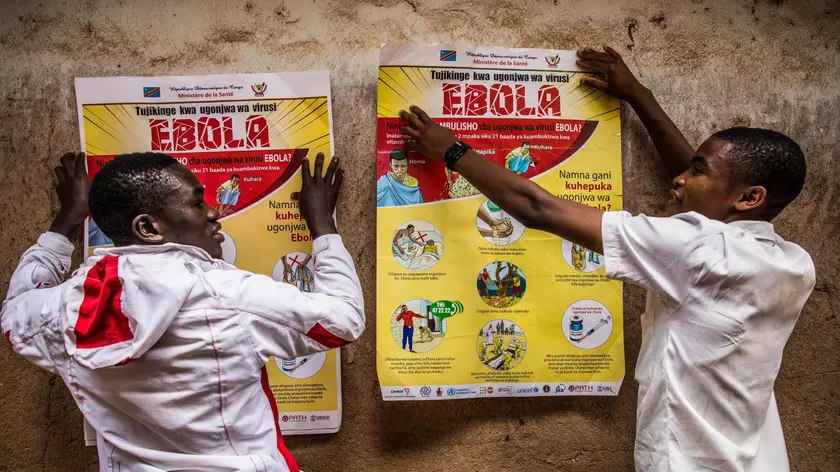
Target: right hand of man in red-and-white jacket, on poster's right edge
{"x": 318, "y": 195}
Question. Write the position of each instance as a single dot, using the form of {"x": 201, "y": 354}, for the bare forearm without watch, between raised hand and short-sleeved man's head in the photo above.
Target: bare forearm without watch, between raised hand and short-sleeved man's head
{"x": 674, "y": 150}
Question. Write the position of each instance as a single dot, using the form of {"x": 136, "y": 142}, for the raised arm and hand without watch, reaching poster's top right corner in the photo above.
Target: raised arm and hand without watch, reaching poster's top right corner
{"x": 673, "y": 148}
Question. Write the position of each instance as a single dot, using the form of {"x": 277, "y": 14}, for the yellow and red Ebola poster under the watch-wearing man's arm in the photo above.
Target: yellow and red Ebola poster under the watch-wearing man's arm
{"x": 470, "y": 303}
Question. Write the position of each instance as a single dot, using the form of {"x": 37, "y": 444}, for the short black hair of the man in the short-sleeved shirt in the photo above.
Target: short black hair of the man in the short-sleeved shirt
{"x": 767, "y": 158}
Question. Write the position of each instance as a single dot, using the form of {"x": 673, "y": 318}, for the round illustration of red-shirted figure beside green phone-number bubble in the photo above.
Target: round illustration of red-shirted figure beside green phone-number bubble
{"x": 415, "y": 329}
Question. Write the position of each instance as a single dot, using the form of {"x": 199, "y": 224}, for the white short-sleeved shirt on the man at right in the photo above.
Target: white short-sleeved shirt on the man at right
{"x": 722, "y": 301}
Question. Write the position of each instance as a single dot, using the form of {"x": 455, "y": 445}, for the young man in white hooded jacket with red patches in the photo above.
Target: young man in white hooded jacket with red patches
{"x": 161, "y": 343}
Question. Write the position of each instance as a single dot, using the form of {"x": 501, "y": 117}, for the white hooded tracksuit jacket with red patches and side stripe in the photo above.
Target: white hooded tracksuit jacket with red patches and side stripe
{"x": 164, "y": 348}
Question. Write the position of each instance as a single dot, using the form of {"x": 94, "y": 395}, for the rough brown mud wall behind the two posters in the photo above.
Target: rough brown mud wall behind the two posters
{"x": 768, "y": 63}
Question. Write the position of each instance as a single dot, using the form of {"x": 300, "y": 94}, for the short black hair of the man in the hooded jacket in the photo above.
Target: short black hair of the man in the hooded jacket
{"x": 130, "y": 185}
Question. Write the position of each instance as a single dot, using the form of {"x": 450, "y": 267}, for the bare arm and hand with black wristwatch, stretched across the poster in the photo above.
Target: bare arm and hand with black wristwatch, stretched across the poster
{"x": 526, "y": 201}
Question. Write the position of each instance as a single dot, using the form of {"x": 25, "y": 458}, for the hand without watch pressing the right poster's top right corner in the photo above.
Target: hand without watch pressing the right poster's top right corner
{"x": 619, "y": 81}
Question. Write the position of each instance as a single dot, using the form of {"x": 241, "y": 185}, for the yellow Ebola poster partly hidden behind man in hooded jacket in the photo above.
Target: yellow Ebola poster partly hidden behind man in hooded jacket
{"x": 244, "y": 137}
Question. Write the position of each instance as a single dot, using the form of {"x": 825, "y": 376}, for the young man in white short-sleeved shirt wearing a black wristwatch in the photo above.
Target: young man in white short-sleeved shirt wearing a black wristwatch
{"x": 724, "y": 291}
